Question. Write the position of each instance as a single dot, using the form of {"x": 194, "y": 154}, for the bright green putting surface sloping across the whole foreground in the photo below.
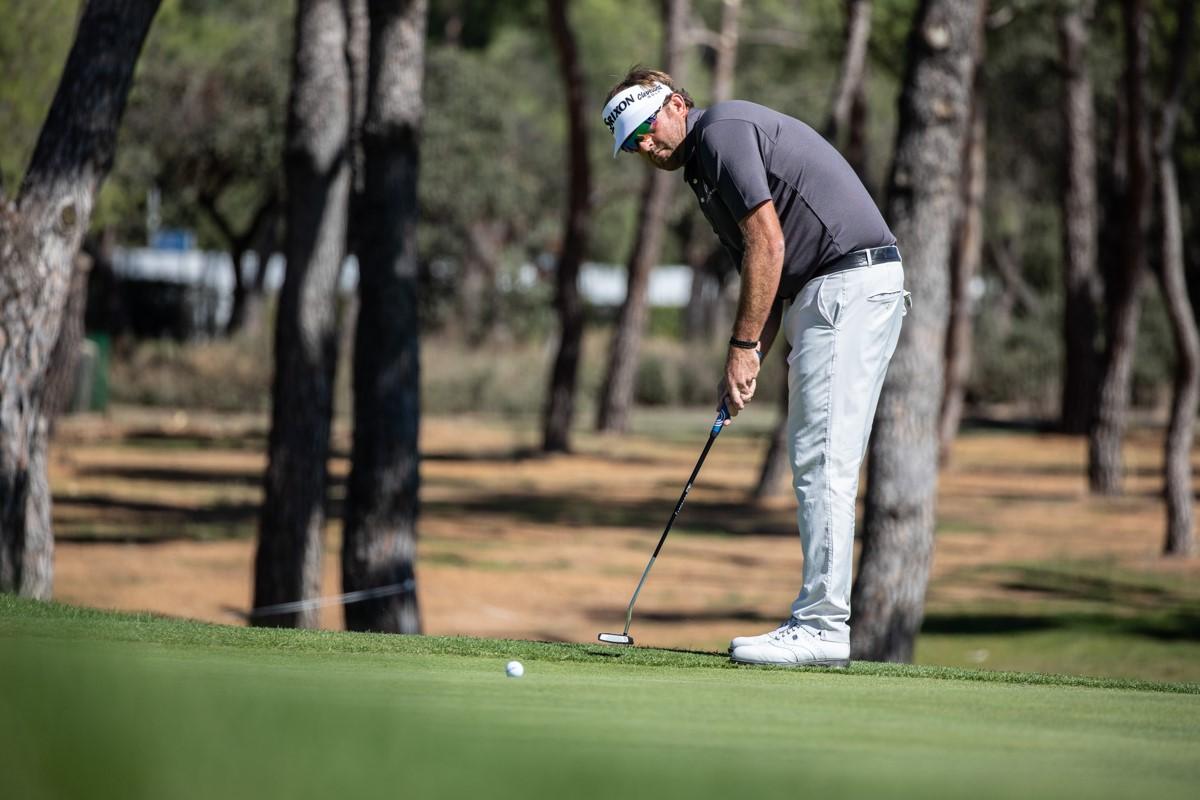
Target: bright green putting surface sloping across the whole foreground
{"x": 110, "y": 706}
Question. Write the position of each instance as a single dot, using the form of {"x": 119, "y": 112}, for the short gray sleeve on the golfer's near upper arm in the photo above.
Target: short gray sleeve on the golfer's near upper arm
{"x": 731, "y": 157}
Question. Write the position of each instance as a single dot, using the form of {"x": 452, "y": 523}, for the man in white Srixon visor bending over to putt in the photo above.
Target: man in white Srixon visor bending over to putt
{"x": 817, "y": 258}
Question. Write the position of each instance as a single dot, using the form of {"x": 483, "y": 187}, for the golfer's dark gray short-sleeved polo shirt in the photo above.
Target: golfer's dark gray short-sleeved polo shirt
{"x": 739, "y": 155}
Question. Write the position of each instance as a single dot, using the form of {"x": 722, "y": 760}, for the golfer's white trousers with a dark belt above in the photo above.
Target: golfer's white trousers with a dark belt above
{"x": 843, "y": 330}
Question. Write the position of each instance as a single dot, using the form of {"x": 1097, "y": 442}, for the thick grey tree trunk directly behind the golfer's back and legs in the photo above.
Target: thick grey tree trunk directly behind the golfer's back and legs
{"x": 898, "y": 531}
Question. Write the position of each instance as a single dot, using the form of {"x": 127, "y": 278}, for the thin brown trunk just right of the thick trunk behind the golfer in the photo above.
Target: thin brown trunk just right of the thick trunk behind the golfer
{"x": 965, "y": 257}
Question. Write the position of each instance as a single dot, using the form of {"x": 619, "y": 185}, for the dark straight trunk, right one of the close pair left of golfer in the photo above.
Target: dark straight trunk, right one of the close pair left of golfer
{"x": 380, "y": 539}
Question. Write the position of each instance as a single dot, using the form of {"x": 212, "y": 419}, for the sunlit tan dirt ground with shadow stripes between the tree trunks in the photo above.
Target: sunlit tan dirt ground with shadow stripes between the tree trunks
{"x": 157, "y": 512}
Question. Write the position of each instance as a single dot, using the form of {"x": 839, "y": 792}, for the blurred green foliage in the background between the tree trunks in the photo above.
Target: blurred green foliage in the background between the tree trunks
{"x": 206, "y": 128}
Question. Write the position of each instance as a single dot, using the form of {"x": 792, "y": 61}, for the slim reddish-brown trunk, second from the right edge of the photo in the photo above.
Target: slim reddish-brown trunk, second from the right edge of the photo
{"x": 1106, "y": 468}
